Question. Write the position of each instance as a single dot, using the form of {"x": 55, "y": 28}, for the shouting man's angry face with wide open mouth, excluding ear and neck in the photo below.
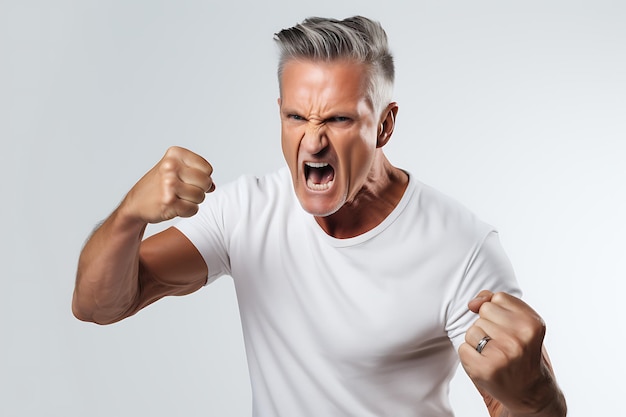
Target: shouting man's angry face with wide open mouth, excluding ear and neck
{"x": 329, "y": 132}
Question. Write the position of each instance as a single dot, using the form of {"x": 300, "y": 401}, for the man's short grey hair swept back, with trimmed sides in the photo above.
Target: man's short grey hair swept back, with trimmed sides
{"x": 357, "y": 38}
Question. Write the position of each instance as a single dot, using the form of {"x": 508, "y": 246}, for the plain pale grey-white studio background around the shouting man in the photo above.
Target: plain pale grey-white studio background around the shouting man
{"x": 517, "y": 109}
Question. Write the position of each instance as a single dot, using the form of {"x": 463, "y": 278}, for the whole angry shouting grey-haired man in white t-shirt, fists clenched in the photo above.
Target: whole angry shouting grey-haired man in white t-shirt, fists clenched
{"x": 356, "y": 283}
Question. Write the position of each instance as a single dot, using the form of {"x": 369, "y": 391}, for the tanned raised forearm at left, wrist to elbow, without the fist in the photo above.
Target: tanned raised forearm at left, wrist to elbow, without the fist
{"x": 107, "y": 279}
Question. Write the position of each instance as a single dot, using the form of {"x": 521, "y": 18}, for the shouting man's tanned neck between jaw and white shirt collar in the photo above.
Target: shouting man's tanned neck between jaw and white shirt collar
{"x": 380, "y": 194}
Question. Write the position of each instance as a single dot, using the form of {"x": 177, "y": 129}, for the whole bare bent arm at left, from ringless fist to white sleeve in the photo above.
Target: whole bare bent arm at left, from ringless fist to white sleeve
{"x": 119, "y": 273}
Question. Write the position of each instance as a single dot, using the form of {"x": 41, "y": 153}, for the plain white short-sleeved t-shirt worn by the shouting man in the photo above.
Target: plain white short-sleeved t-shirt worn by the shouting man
{"x": 365, "y": 326}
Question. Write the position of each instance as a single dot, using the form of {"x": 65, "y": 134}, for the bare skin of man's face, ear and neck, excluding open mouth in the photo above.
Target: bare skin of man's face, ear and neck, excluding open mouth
{"x": 327, "y": 117}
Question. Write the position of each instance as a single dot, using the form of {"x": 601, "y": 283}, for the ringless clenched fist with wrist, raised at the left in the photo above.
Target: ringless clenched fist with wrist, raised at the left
{"x": 174, "y": 187}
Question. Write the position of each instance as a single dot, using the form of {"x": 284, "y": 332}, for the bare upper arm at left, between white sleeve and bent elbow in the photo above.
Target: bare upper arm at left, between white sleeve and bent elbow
{"x": 169, "y": 264}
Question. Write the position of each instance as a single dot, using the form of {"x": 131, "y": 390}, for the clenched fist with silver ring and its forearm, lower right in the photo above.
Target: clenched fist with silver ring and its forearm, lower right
{"x": 512, "y": 371}
